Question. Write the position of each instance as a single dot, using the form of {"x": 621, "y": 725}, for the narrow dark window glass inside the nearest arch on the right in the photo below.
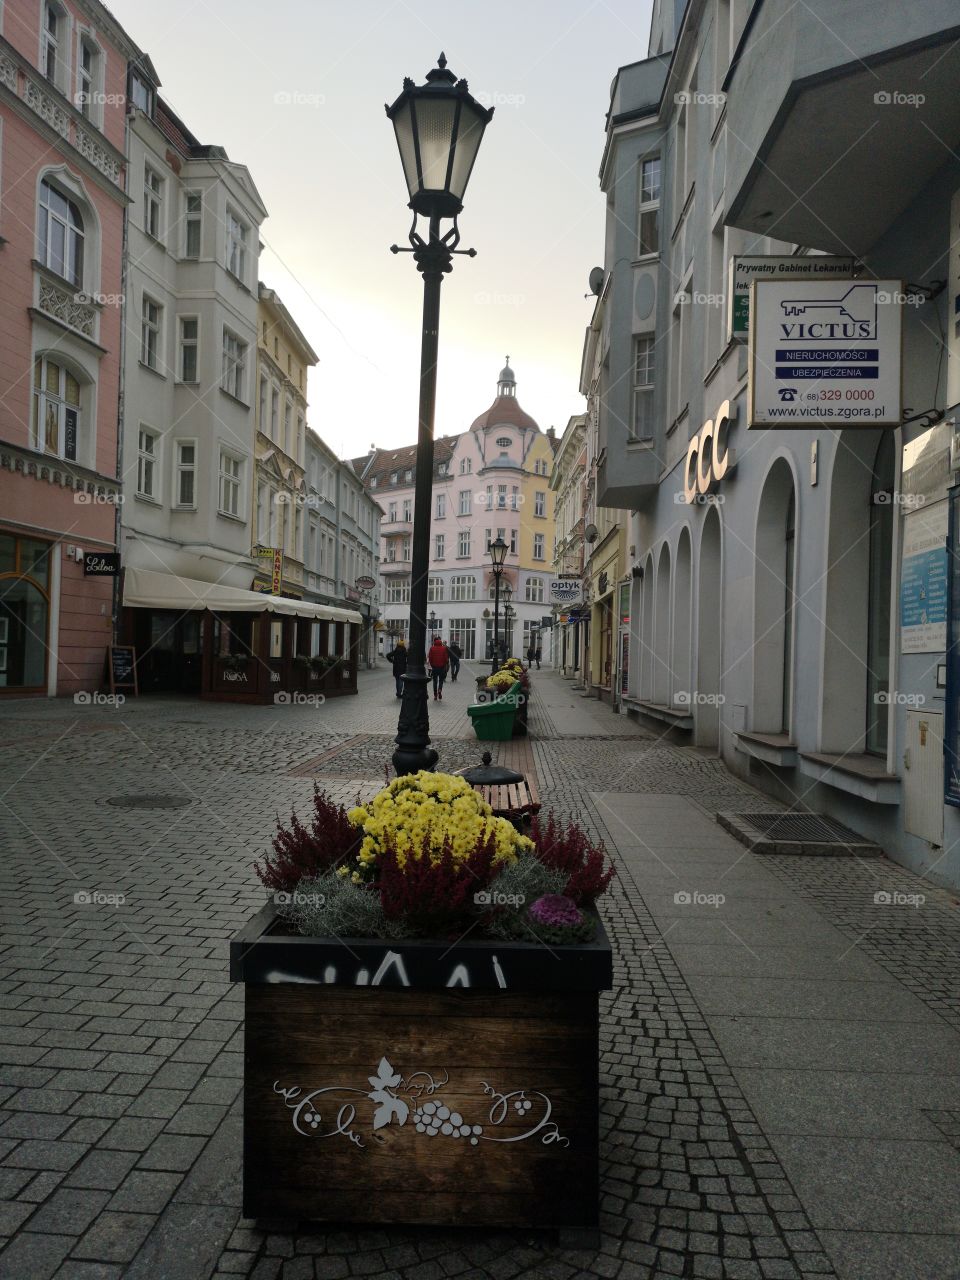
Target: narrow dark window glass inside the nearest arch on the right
{"x": 879, "y": 596}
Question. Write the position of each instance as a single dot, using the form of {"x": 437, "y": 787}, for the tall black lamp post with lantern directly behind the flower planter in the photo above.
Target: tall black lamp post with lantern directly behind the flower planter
{"x": 438, "y": 129}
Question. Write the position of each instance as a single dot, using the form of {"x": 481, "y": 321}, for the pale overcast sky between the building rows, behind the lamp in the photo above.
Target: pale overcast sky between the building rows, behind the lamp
{"x": 296, "y": 92}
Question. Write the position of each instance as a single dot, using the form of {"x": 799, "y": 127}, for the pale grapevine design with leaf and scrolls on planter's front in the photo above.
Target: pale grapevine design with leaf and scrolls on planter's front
{"x": 332, "y": 1112}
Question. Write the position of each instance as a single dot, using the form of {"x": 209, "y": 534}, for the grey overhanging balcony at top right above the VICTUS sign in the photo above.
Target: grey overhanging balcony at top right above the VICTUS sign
{"x": 894, "y": 76}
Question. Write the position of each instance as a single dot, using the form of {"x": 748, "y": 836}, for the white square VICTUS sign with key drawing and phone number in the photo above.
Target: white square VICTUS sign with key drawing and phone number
{"x": 826, "y": 354}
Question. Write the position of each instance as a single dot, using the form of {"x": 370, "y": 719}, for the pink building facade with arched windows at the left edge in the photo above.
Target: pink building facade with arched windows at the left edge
{"x": 63, "y": 94}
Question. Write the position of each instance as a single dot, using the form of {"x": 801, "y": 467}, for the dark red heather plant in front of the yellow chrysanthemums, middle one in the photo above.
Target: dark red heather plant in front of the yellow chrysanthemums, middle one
{"x": 435, "y": 897}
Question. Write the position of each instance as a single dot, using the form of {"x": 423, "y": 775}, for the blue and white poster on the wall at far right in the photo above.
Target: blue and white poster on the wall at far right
{"x": 924, "y": 580}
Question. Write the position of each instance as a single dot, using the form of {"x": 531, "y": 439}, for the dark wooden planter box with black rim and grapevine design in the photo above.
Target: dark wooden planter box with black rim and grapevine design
{"x": 420, "y": 1082}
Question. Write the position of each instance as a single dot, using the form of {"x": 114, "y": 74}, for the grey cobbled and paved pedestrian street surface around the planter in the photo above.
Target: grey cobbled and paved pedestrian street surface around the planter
{"x": 780, "y": 1052}
